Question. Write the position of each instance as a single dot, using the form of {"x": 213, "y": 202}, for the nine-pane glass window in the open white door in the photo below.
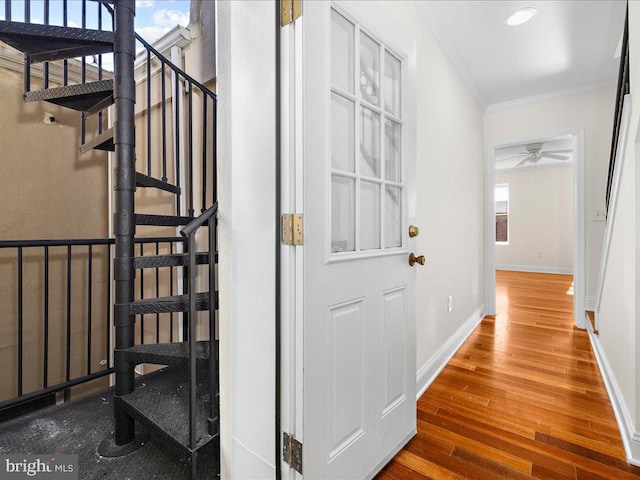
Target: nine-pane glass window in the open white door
{"x": 367, "y": 185}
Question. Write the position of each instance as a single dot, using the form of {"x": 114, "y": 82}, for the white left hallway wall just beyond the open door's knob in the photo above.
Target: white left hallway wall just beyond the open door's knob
{"x": 450, "y": 198}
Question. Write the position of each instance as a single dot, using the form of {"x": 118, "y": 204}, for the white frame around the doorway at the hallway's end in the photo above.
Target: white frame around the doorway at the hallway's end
{"x": 579, "y": 226}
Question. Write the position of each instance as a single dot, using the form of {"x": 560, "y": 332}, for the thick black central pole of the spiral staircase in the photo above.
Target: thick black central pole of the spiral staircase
{"x": 124, "y": 218}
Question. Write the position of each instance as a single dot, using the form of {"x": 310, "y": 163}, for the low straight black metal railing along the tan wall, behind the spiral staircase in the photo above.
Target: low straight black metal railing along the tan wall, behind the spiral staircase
{"x": 56, "y": 313}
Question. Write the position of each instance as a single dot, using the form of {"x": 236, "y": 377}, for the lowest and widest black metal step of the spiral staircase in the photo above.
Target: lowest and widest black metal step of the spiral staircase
{"x": 162, "y": 404}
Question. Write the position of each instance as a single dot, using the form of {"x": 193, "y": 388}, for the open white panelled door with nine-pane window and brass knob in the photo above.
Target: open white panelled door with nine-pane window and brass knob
{"x": 359, "y": 404}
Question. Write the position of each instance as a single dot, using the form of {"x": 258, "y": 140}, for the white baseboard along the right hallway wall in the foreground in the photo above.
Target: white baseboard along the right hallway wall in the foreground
{"x": 630, "y": 437}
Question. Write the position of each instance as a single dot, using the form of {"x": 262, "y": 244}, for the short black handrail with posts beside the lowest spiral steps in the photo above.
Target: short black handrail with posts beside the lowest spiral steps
{"x": 209, "y": 218}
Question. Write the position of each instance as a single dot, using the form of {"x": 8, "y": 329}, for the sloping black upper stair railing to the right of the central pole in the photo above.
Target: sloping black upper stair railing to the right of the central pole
{"x": 167, "y": 86}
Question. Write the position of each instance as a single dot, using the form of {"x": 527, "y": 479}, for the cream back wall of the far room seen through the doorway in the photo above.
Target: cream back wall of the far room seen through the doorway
{"x": 540, "y": 220}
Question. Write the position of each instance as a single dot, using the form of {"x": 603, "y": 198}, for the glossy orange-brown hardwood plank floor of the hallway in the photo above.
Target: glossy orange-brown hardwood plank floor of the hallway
{"x": 522, "y": 398}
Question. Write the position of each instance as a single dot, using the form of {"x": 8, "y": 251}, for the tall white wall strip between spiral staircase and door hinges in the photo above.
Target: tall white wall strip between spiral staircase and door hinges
{"x": 247, "y": 243}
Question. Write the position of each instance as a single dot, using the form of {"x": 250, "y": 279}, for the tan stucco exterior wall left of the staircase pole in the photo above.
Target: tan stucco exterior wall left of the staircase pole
{"x": 48, "y": 191}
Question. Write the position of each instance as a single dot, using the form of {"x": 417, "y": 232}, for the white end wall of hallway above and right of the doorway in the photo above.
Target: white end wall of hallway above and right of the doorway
{"x": 592, "y": 112}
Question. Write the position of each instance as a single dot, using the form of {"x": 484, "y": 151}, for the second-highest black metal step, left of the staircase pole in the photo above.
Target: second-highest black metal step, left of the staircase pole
{"x": 81, "y": 97}
